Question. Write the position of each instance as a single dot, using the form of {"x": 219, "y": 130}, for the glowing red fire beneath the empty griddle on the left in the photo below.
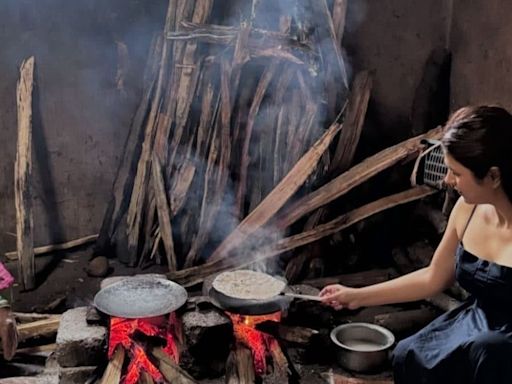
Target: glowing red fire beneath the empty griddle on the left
{"x": 121, "y": 333}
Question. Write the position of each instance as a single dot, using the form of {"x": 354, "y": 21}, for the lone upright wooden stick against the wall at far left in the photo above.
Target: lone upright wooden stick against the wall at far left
{"x": 23, "y": 177}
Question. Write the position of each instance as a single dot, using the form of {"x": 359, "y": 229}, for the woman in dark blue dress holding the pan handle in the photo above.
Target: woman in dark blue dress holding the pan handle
{"x": 472, "y": 343}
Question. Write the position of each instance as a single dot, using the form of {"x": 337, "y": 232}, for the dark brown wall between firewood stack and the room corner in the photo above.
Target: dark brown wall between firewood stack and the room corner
{"x": 393, "y": 38}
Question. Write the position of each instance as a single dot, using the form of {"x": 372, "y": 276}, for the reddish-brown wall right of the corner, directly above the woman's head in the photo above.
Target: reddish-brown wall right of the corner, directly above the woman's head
{"x": 481, "y": 41}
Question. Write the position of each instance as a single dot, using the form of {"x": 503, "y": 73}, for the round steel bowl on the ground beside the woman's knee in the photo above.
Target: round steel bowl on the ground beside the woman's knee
{"x": 362, "y": 347}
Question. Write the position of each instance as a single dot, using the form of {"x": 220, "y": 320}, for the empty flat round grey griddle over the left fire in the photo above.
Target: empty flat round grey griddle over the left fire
{"x": 140, "y": 297}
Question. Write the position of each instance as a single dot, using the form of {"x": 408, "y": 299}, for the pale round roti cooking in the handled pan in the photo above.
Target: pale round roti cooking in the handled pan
{"x": 247, "y": 284}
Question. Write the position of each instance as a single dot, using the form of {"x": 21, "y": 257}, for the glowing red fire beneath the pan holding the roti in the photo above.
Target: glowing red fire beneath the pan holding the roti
{"x": 258, "y": 342}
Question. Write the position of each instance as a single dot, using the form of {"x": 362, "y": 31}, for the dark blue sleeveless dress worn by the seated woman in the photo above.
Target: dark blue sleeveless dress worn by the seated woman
{"x": 469, "y": 344}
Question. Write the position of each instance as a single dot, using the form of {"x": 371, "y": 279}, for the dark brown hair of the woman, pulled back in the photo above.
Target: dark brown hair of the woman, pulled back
{"x": 480, "y": 137}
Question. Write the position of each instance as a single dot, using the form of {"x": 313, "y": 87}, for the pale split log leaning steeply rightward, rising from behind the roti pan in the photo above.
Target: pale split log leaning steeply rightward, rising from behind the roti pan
{"x": 278, "y": 197}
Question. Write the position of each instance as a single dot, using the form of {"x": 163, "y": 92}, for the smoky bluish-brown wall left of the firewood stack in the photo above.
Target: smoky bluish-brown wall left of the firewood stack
{"x": 82, "y": 110}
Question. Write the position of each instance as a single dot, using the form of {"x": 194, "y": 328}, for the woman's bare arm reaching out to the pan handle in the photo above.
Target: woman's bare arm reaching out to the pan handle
{"x": 420, "y": 284}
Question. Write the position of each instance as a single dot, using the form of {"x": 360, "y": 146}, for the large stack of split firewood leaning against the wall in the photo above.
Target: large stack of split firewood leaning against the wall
{"x": 237, "y": 138}
